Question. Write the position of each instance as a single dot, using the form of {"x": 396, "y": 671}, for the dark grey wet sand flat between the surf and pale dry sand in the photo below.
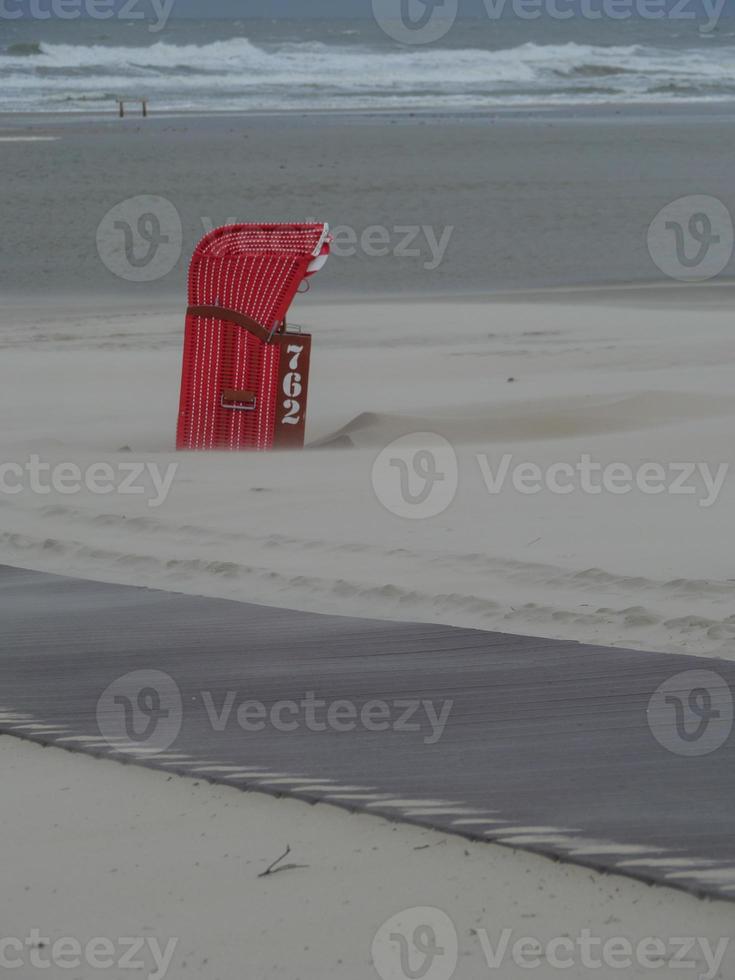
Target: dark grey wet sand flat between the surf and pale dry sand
{"x": 534, "y": 198}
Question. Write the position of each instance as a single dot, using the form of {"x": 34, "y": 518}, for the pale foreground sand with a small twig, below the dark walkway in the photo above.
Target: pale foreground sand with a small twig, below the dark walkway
{"x": 95, "y": 849}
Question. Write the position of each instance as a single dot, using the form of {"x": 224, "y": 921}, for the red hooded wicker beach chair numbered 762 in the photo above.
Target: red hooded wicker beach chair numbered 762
{"x": 245, "y": 374}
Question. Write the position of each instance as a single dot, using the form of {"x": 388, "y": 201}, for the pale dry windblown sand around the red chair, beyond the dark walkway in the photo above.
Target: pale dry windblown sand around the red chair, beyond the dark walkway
{"x": 631, "y": 377}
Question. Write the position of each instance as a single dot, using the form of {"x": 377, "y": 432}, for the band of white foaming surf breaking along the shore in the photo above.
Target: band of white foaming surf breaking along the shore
{"x": 279, "y": 76}
